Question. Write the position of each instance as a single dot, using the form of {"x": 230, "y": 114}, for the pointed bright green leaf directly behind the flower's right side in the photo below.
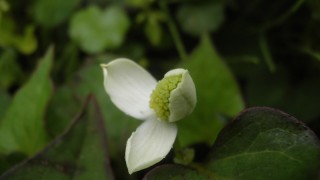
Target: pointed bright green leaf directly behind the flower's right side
{"x": 217, "y": 93}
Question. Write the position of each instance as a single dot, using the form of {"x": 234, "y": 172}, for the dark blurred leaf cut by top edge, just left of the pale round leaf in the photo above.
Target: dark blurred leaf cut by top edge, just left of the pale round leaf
{"x": 53, "y": 13}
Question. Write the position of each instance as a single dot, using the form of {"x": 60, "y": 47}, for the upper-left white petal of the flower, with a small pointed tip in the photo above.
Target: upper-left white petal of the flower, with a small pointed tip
{"x": 129, "y": 87}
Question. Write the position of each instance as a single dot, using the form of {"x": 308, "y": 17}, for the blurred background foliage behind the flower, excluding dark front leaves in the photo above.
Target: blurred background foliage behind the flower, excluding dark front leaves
{"x": 240, "y": 54}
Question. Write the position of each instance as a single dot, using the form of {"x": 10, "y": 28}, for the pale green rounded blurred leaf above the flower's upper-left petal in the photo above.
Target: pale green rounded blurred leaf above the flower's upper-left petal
{"x": 96, "y": 30}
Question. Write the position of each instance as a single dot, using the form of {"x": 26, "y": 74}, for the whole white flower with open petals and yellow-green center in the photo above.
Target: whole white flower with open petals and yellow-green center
{"x": 135, "y": 92}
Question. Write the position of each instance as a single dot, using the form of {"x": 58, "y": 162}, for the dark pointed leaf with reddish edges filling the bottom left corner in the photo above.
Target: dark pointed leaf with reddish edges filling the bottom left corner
{"x": 78, "y": 153}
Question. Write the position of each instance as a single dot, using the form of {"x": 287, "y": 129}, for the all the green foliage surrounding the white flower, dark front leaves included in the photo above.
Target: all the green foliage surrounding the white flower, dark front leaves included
{"x": 239, "y": 54}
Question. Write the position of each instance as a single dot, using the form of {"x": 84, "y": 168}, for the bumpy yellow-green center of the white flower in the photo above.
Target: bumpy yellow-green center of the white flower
{"x": 159, "y": 99}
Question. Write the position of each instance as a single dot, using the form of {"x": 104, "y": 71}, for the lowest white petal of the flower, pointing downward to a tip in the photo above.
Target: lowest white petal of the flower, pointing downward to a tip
{"x": 149, "y": 144}
